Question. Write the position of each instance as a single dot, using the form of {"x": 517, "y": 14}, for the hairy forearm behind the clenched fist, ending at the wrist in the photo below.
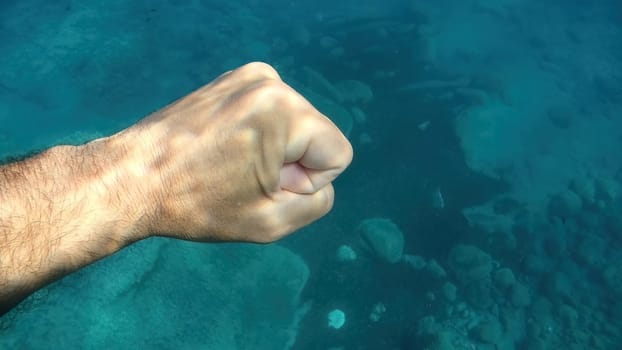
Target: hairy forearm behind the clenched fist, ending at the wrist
{"x": 59, "y": 211}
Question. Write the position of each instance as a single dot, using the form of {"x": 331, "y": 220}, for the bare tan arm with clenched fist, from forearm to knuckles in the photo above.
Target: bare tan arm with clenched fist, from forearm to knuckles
{"x": 245, "y": 158}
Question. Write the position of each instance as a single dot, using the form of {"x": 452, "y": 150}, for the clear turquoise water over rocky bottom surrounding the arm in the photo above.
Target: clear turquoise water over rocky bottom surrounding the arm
{"x": 481, "y": 211}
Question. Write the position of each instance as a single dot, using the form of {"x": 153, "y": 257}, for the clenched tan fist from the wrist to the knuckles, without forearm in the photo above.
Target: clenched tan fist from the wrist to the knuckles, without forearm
{"x": 245, "y": 158}
